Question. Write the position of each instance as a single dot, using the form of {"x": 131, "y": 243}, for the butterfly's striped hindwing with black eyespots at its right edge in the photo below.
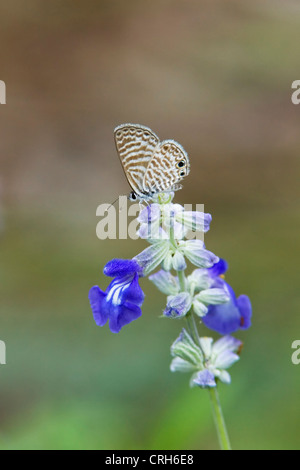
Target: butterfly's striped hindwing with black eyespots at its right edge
{"x": 168, "y": 165}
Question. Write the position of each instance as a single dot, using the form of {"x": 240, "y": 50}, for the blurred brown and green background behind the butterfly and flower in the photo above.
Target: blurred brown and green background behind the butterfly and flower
{"x": 215, "y": 76}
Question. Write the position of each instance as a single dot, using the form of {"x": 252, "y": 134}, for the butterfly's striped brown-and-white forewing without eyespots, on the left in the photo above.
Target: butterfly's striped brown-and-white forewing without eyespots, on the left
{"x": 135, "y": 145}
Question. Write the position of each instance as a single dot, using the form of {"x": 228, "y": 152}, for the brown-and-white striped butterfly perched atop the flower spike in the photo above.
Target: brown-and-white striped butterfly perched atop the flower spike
{"x": 150, "y": 166}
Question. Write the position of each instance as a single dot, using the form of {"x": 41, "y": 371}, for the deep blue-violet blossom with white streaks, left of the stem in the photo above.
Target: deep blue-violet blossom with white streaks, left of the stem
{"x": 120, "y": 303}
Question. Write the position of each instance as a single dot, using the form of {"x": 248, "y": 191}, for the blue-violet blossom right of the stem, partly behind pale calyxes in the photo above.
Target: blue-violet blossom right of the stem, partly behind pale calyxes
{"x": 230, "y": 316}
